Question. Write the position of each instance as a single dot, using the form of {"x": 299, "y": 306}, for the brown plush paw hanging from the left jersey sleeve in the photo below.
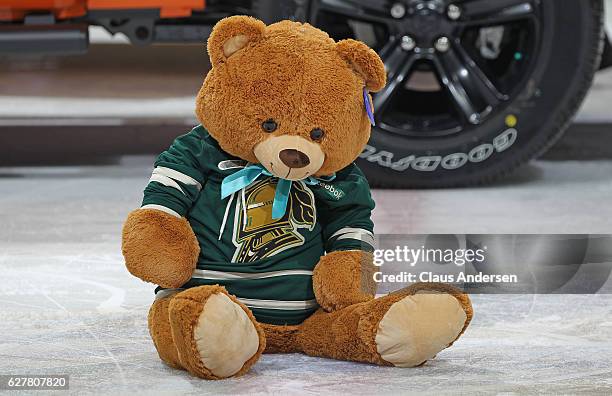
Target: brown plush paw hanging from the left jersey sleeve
{"x": 159, "y": 248}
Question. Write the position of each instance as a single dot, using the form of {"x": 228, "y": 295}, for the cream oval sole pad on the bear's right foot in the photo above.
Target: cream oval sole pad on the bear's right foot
{"x": 417, "y": 327}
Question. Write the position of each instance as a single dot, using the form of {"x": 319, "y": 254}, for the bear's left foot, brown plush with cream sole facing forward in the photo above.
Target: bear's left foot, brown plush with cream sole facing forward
{"x": 216, "y": 336}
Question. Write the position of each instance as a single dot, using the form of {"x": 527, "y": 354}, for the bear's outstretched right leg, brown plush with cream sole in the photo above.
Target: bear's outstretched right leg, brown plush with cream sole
{"x": 403, "y": 329}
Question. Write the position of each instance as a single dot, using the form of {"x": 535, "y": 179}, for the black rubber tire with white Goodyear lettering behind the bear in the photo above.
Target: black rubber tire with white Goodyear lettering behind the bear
{"x": 542, "y": 110}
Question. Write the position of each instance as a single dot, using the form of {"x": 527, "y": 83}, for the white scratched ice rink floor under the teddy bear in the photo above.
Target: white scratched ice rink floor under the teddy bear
{"x": 68, "y": 306}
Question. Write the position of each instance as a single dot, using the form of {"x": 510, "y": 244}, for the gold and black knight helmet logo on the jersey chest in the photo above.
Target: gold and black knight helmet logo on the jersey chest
{"x": 259, "y": 236}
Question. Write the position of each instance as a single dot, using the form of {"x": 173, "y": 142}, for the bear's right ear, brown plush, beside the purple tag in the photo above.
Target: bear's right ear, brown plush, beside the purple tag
{"x": 366, "y": 63}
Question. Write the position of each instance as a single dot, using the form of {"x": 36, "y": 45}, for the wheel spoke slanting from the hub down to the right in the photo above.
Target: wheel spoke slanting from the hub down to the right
{"x": 467, "y": 85}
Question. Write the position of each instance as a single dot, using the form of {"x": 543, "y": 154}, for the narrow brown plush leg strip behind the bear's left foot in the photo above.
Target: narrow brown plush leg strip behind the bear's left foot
{"x": 161, "y": 333}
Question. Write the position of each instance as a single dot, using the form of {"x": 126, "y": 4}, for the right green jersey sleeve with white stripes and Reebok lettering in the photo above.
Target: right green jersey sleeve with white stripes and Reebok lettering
{"x": 346, "y": 212}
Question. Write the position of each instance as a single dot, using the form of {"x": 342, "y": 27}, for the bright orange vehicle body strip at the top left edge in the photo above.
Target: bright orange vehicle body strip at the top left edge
{"x": 65, "y": 9}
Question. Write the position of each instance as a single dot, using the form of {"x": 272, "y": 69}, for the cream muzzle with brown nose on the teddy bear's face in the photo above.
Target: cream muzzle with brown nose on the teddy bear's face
{"x": 290, "y": 157}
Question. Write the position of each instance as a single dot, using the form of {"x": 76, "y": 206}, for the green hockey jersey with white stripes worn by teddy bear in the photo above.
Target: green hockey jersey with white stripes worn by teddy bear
{"x": 266, "y": 263}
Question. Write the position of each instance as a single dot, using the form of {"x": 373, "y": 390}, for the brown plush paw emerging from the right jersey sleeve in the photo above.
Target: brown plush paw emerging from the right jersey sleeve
{"x": 344, "y": 278}
